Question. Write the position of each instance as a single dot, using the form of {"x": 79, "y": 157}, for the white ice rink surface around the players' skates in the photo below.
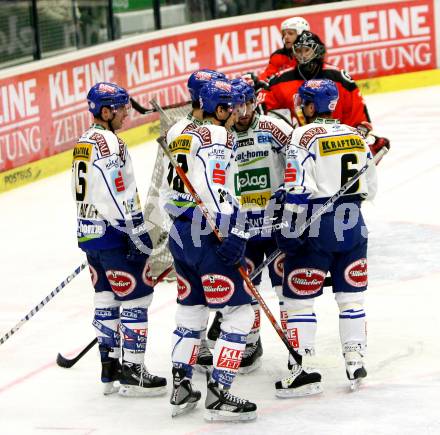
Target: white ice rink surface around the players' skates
{"x": 401, "y": 394}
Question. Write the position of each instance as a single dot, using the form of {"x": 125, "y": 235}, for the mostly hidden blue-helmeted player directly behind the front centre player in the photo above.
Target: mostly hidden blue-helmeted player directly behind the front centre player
{"x": 194, "y": 119}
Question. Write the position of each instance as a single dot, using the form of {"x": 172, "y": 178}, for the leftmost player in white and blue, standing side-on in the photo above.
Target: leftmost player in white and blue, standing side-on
{"x": 111, "y": 232}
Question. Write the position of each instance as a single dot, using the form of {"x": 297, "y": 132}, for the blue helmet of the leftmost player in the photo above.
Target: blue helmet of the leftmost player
{"x": 105, "y": 94}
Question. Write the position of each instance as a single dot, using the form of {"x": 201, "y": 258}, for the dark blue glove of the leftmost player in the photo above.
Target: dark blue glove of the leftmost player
{"x": 139, "y": 242}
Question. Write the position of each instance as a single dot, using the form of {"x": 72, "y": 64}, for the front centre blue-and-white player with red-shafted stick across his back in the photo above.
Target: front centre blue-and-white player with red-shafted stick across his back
{"x": 207, "y": 276}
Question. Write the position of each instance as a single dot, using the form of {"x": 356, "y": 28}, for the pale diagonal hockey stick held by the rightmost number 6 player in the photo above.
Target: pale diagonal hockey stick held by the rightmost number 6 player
{"x": 323, "y": 208}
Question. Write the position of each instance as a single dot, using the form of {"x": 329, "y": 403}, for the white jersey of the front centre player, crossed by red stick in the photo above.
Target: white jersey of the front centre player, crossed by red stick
{"x": 206, "y": 154}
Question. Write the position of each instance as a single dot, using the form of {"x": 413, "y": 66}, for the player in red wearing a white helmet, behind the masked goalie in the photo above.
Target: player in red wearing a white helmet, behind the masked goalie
{"x": 284, "y": 58}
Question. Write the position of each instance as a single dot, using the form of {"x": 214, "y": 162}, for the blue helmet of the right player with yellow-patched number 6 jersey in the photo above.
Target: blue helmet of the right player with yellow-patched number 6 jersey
{"x": 322, "y": 93}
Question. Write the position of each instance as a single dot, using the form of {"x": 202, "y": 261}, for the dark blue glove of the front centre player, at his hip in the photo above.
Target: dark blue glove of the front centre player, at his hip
{"x": 232, "y": 248}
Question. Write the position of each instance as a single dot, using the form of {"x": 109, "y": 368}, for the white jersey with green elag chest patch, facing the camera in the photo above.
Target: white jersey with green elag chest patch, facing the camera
{"x": 261, "y": 160}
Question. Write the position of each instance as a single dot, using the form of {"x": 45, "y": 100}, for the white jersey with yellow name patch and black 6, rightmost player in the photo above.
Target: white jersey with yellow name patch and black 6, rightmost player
{"x": 323, "y": 156}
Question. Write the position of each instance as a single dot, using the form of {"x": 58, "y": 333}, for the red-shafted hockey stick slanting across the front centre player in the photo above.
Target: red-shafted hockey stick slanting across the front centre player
{"x": 242, "y": 271}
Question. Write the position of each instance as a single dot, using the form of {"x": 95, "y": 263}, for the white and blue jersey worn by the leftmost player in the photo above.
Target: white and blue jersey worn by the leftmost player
{"x": 104, "y": 188}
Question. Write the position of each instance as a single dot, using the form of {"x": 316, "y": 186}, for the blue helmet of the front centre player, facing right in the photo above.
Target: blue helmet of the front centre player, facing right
{"x": 219, "y": 93}
